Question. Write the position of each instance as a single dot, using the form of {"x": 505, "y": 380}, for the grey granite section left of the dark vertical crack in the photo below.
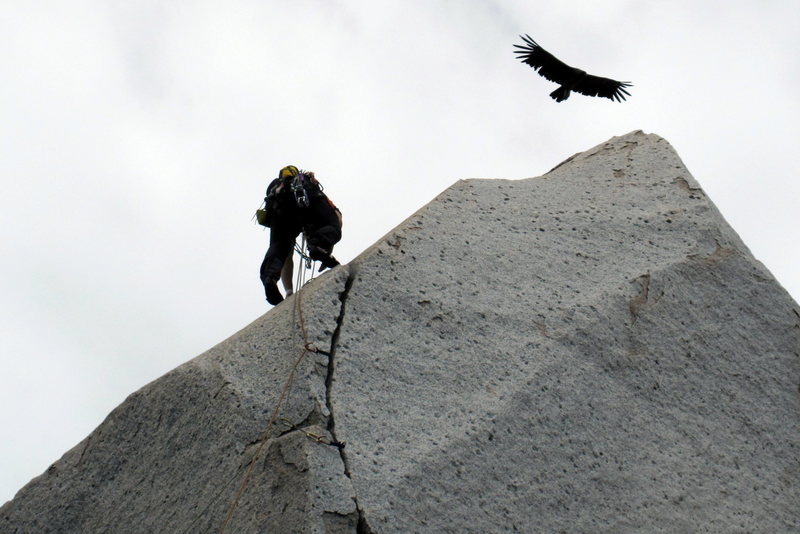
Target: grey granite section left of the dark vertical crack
{"x": 174, "y": 455}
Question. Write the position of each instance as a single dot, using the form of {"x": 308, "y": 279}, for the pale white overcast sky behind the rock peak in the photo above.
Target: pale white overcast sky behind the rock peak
{"x": 138, "y": 138}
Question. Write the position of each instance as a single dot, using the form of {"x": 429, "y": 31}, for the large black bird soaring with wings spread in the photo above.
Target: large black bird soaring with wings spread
{"x": 570, "y": 78}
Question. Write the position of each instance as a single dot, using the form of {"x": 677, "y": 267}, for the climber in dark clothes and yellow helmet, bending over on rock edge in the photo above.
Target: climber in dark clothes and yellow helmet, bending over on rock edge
{"x": 295, "y": 203}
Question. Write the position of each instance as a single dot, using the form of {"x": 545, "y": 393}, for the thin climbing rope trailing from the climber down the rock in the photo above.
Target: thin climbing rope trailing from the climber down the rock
{"x": 298, "y": 321}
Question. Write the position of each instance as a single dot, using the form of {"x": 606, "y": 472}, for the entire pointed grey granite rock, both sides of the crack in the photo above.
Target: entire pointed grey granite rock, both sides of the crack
{"x": 592, "y": 350}
